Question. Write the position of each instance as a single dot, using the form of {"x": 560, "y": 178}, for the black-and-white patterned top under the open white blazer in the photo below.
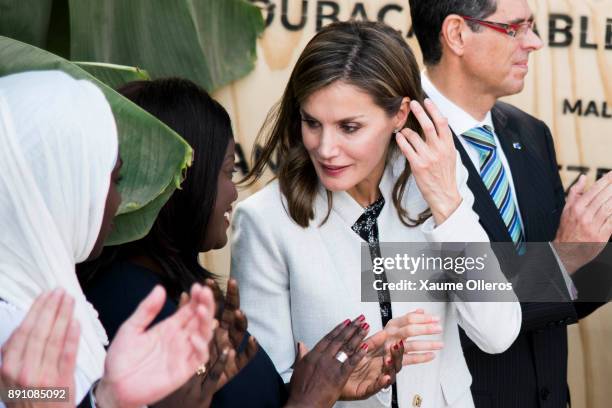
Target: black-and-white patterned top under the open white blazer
{"x": 367, "y": 228}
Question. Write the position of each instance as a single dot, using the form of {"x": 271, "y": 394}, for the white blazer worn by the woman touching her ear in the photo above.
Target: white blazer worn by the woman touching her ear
{"x": 297, "y": 283}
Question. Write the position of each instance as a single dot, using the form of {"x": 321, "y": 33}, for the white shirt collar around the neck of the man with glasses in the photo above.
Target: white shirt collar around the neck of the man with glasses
{"x": 459, "y": 120}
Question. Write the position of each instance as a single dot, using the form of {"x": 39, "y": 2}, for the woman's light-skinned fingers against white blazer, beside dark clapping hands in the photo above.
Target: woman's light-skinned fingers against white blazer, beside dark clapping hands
{"x": 415, "y": 324}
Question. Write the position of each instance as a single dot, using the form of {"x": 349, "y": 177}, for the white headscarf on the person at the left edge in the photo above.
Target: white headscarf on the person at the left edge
{"x": 58, "y": 146}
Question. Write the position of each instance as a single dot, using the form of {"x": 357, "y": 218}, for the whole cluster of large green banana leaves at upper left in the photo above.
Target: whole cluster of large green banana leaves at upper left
{"x": 195, "y": 39}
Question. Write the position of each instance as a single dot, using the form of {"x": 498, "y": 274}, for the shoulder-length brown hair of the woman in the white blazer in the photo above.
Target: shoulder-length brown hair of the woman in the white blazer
{"x": 369, "y": 55}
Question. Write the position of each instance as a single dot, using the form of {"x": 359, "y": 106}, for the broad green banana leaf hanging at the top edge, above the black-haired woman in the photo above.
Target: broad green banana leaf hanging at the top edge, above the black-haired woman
{"x": 211, "y": 42}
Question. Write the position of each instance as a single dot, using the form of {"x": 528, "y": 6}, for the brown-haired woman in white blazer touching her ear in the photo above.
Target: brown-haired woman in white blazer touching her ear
{"x": 343, "y": 181}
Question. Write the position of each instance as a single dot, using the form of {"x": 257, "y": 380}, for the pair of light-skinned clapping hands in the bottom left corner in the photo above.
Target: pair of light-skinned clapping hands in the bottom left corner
{"x": 142, "y": 366}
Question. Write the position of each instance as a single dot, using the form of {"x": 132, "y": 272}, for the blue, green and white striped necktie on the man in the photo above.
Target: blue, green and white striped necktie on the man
{"x": 495, "y": 179}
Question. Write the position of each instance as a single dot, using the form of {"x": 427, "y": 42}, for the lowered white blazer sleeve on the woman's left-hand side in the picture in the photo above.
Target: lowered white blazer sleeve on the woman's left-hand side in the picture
{"x": 258, "y": 266}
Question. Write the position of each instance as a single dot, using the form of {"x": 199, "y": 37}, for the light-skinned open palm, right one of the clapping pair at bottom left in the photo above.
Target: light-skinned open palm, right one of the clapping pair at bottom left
{"x": 145, "y": 364}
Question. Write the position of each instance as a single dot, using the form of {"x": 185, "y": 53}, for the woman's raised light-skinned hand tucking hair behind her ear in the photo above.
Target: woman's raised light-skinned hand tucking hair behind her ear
{"x": 433, "y": 160}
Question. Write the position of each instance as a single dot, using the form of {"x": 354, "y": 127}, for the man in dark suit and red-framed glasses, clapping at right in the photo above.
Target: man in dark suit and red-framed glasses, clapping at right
{"x": 477, "y": 51}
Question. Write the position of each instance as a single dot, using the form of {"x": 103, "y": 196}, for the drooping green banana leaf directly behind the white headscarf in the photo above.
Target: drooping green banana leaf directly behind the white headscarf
{"x": 155, "y": 157}
